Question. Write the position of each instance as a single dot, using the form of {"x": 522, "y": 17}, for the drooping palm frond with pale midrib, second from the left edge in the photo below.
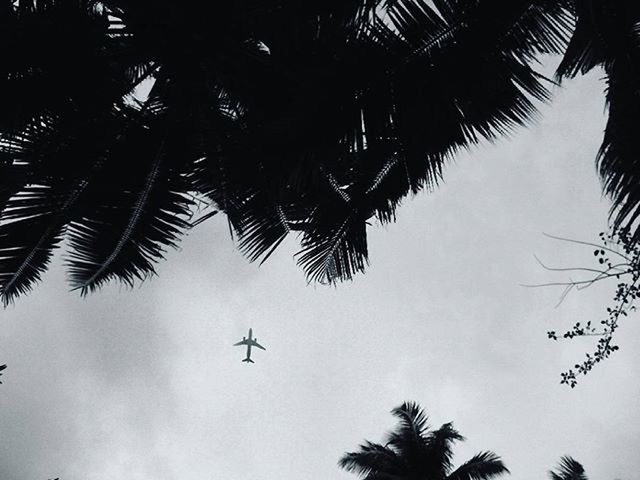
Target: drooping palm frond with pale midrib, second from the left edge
{"x": 130, "y": 222}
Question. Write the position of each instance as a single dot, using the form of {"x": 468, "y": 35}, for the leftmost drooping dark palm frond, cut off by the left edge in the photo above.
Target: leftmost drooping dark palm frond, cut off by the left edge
{"x": 39, "y": 197}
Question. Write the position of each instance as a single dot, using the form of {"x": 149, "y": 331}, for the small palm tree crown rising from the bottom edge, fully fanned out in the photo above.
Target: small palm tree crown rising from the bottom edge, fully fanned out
{"x": 415, "y": 452}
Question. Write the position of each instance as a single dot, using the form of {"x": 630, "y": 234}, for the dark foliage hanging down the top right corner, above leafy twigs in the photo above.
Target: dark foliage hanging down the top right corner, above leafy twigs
{"x": 607, "y": 35}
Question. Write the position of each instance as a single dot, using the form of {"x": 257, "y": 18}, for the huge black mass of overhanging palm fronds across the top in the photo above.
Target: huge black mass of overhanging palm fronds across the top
{"x": 310, "y": 117}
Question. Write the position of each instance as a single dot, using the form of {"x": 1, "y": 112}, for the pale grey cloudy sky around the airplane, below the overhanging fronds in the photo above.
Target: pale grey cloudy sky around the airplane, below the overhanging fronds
{"x": 144, "y": 384}
